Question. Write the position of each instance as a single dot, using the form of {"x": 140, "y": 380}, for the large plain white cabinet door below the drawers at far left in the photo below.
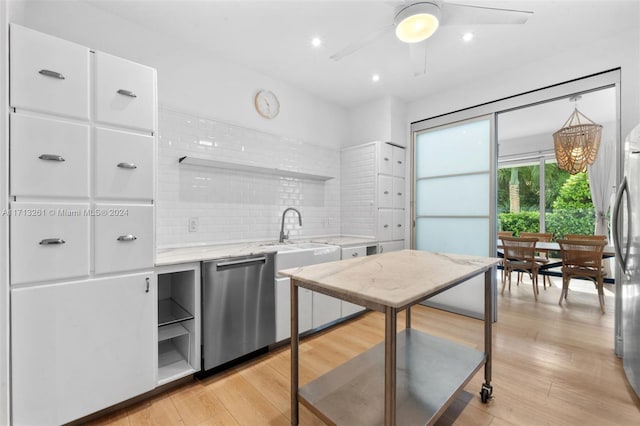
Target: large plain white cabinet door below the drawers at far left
{"x": 82, "y": 346}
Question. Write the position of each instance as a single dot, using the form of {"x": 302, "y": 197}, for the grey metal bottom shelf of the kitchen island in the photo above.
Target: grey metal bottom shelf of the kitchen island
{"x": 430, "y": 372}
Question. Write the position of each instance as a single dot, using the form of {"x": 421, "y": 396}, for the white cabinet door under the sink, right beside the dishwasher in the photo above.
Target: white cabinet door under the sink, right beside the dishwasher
{"x": 283, "y": 309}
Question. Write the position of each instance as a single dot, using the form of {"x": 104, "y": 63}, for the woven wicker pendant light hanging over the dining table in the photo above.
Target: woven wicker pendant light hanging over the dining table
{"x": 577, "y": 142}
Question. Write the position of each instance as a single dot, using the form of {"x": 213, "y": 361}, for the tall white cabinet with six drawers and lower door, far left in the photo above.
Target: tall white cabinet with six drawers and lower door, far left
{"x": 83, "y": 290}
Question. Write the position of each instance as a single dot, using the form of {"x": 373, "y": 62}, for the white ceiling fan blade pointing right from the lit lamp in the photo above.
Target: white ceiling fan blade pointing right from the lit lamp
{"x": 460, "y": 14}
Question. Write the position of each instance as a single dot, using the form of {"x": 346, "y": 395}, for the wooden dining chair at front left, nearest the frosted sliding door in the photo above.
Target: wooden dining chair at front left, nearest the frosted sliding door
{"x": 519, "y": 256}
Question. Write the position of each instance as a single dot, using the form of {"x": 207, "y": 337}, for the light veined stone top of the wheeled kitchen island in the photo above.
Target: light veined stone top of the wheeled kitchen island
{"x": 395, "y": 279}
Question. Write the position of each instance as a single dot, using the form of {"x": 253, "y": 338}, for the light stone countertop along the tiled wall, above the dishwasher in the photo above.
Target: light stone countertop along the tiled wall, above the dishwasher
{"x": 175, "y": 256}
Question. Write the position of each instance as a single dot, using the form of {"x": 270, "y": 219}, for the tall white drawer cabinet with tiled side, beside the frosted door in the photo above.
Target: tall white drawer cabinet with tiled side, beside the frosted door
{"x": 373, "y": 193}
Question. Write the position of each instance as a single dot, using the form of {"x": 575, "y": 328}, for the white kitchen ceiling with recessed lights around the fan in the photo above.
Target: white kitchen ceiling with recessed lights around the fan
{"x": 273, "y": 37}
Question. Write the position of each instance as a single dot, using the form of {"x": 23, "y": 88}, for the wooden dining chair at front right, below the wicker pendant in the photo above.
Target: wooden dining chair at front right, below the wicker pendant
{"x": 582, "y": 258}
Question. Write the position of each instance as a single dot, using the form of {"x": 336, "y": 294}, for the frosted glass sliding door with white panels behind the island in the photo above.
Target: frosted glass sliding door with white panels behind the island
{"x": 454, "y": 196}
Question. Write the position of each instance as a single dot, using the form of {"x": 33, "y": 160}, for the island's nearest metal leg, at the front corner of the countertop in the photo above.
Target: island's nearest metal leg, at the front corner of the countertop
{"x": 390, "y": 319}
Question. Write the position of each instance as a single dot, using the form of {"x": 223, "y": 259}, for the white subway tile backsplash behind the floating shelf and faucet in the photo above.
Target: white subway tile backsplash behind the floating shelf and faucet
{"x": 234, "y": 206}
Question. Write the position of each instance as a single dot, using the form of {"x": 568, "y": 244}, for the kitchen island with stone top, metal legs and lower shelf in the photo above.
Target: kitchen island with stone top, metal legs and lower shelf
{"x": 412, "y": 377}
